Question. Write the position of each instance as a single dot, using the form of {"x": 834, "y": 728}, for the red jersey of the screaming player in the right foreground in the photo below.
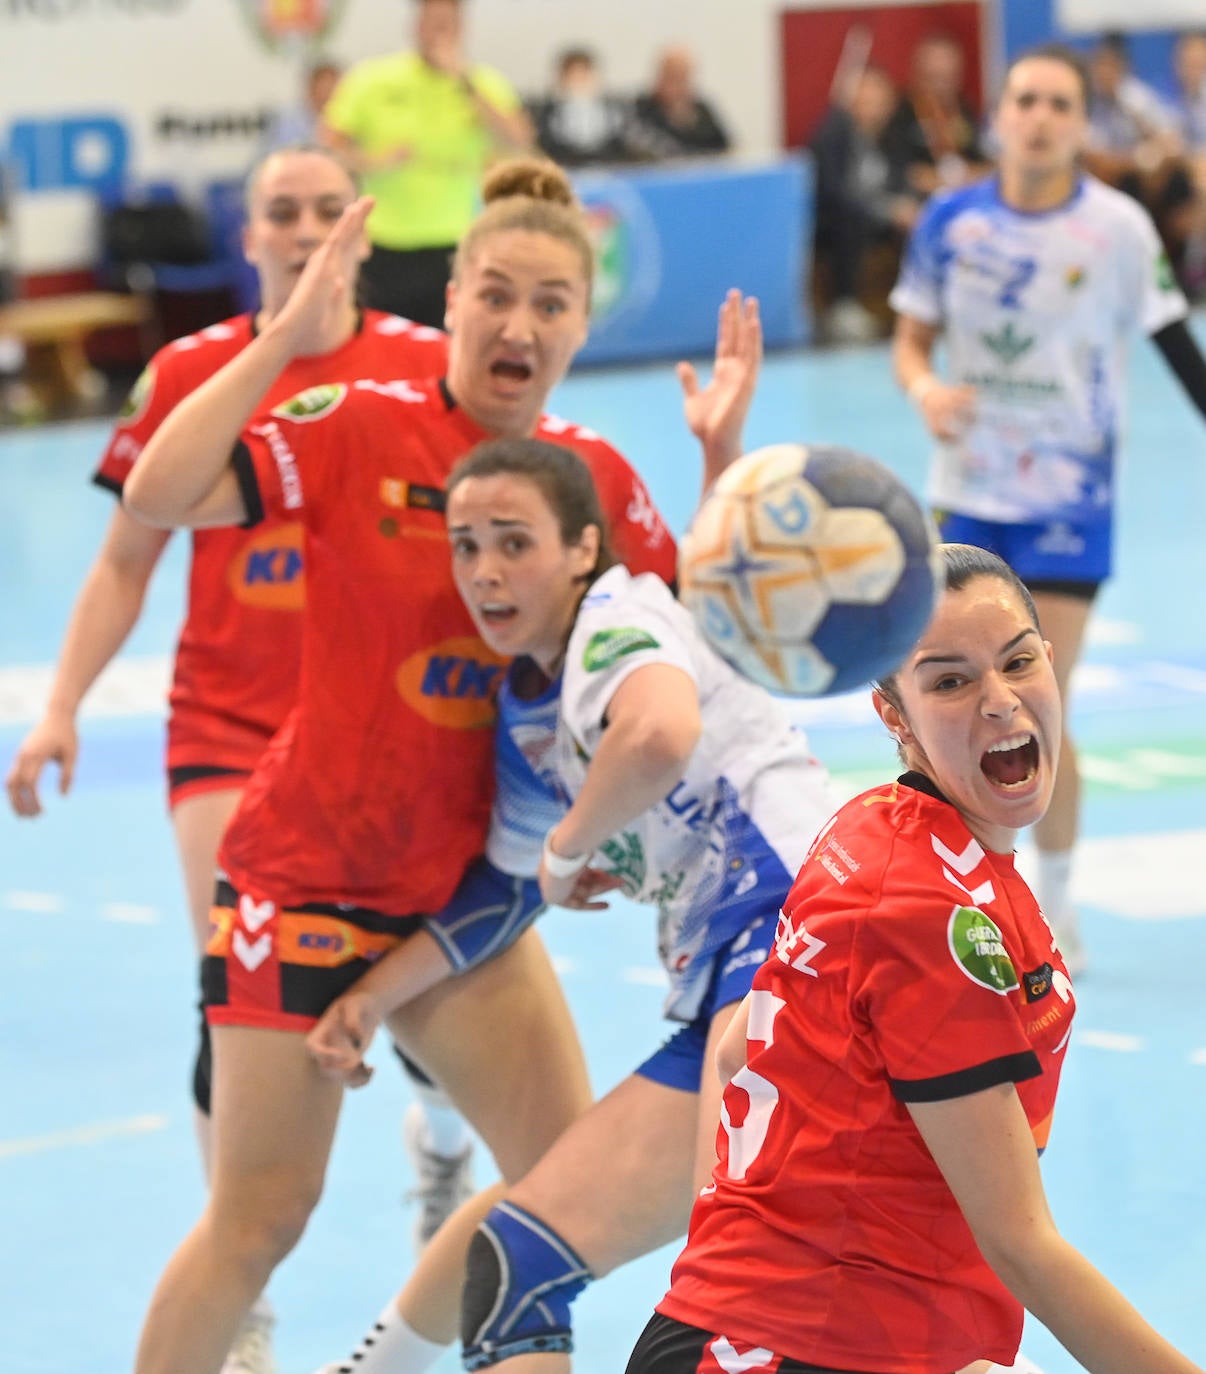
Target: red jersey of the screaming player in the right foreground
{"x": 910, "y": 967}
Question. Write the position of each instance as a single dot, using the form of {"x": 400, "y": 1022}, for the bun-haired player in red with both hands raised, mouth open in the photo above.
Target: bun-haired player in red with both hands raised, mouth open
{"x": 376, "y": 795}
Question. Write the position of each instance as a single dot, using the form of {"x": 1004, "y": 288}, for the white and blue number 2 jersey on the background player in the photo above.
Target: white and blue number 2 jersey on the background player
{"x": 1038, "y": 311}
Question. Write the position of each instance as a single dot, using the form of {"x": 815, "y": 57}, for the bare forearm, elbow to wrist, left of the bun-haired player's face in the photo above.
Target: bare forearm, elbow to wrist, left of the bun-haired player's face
{"x": 190, "y": 453}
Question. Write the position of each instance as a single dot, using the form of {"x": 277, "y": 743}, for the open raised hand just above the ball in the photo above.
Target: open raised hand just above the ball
{"x": 716, "y": 414}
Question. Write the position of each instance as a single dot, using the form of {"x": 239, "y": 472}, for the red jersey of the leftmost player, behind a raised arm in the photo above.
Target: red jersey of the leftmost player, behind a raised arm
{"x": 237, "y": 660}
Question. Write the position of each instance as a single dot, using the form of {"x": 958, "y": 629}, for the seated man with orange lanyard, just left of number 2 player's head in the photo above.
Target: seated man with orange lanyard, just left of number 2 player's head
{"x": 935, "y": 131}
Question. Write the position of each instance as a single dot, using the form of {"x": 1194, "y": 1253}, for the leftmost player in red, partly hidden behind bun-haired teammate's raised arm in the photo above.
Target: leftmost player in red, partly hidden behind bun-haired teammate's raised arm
{"x": 237, "y": 662}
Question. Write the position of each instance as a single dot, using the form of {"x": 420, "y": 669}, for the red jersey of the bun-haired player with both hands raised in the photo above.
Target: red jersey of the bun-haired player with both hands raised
{"x": 377, "y": 792}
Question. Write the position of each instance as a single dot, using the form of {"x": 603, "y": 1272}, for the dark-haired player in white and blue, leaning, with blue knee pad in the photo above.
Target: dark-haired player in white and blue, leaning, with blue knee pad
{"x": 679, "y": 782}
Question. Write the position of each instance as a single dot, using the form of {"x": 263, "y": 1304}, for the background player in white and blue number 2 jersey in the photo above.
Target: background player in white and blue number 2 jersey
{"x": 1038, "y": 280}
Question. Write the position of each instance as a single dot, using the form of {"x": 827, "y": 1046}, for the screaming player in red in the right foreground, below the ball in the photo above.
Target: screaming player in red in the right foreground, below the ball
{"x": 877, "y": 1206}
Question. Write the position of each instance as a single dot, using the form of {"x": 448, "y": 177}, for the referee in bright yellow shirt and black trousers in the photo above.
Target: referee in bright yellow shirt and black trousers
{"x": 421, "y": 127}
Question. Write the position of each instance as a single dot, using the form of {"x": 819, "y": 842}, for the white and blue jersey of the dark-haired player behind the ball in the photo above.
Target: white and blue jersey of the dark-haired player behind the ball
{"x": 733, "y": 833}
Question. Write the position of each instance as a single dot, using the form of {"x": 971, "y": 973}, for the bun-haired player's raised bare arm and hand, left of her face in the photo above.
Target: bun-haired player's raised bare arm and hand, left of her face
{"x": 185, "y": 475}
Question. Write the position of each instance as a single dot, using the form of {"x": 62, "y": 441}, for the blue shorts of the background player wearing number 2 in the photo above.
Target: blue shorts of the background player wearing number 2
{"x": 1049, "y": 556}
